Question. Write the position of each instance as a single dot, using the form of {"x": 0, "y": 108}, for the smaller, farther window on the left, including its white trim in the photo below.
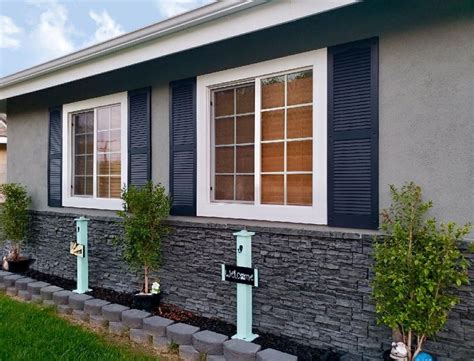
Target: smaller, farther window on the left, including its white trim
{"x": 95, "y": 147}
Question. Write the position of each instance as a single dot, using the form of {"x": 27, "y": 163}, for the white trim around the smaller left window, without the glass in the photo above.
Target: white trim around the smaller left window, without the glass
{"x": 89, "y": 202}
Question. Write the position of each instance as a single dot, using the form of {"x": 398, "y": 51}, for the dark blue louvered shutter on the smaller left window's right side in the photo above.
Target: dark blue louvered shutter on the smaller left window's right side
{"x": 139, "y": 137}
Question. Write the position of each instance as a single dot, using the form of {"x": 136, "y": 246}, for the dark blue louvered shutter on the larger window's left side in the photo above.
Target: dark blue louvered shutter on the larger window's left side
{"x": 183, "y": 147}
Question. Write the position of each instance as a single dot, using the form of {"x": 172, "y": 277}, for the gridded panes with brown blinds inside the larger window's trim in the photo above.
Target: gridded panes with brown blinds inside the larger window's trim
{"x": 286, "y": 143}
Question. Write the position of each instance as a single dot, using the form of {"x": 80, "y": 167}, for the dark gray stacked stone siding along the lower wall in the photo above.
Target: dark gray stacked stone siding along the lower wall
{"x": 314, "y": 286}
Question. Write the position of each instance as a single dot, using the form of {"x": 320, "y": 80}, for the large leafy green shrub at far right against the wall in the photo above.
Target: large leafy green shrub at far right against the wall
{"x": 418, "y": 266}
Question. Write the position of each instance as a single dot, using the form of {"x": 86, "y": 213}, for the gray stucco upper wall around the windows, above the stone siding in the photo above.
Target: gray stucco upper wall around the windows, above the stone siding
{"x": 426, "y": 110}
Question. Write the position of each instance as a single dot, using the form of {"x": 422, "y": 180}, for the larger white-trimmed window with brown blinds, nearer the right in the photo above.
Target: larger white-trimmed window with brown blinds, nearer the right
{"x": 266, "y": 154}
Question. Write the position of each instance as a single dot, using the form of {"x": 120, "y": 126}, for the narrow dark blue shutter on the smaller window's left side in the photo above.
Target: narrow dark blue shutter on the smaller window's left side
{"x": 55, "y": 156}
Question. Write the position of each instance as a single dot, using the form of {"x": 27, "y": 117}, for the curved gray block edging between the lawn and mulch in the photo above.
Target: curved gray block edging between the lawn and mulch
{"x": 139, "y": 326}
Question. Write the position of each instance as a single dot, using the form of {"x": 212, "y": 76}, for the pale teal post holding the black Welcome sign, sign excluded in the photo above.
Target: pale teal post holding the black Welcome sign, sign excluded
{"x": 244, "y": 292}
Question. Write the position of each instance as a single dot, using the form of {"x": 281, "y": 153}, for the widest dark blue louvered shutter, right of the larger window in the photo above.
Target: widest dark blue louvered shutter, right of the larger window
{"x": 353, "y": 135}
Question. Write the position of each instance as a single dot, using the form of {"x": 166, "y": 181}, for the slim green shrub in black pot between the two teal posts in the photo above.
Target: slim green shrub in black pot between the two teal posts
{"x": 143, "y": 215}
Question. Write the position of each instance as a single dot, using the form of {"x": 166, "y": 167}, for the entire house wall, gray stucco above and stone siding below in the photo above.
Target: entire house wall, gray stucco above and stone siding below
{"x": 426, "y": 130}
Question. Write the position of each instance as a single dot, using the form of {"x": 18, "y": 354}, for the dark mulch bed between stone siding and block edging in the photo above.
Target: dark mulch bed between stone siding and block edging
{"x": 175, "y": 313}
